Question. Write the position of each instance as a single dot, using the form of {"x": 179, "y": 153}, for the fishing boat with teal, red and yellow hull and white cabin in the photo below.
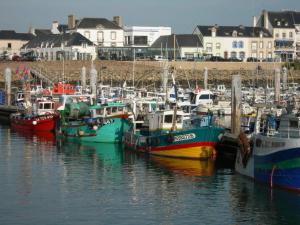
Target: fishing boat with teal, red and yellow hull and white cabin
{"x": 174, "y": 135}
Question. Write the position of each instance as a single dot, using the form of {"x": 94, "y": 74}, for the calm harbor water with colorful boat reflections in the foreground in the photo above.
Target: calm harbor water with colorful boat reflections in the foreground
{"x": 45, "y": 182}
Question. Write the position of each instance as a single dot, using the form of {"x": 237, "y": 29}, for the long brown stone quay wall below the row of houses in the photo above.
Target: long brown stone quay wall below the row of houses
{"x": 148, "y": 73}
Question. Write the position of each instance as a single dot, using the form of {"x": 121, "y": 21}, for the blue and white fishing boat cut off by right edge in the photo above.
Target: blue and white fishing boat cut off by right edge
{"x": 274, "y": 158}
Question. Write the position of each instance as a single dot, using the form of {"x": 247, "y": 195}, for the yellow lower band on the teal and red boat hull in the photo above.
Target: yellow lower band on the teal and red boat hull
{"x": 199, "y": 152}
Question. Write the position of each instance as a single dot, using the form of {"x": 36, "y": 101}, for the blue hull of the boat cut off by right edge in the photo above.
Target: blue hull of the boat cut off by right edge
{"x": 274, "y": 166}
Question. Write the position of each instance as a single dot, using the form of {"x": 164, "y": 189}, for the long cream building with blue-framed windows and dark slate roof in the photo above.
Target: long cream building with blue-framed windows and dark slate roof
{"x": 235, "y": 42}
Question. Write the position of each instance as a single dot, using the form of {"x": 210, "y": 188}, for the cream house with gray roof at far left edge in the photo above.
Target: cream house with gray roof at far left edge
{"x": 11, "y": 42}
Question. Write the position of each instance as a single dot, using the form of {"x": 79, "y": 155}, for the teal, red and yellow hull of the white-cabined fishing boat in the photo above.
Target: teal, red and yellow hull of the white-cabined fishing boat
{"x": 193, "y": 144}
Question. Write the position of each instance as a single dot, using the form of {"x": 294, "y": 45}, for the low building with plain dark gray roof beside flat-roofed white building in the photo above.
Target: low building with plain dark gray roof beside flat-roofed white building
{"x": 178, "y": 46}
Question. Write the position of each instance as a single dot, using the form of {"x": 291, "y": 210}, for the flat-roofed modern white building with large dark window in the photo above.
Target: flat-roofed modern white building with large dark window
{"x": 140, "y": 36}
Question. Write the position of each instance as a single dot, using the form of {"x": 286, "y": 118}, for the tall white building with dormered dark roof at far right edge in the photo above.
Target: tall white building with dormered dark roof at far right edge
{"x": 285, "y": 29}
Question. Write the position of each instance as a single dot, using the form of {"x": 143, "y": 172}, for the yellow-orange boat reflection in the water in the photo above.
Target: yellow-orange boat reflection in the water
{"x": 187, "y": 167}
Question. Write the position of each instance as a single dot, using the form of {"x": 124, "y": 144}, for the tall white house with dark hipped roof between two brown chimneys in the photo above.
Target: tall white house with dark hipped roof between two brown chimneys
{"x": 100, "y": 31}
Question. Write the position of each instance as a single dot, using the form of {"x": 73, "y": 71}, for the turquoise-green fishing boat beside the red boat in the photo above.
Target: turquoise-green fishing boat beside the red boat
{"x": 104, "y": 123}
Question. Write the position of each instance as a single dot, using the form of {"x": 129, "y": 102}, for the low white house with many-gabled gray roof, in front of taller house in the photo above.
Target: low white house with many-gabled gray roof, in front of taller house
{"x": 67, "y": 46}
